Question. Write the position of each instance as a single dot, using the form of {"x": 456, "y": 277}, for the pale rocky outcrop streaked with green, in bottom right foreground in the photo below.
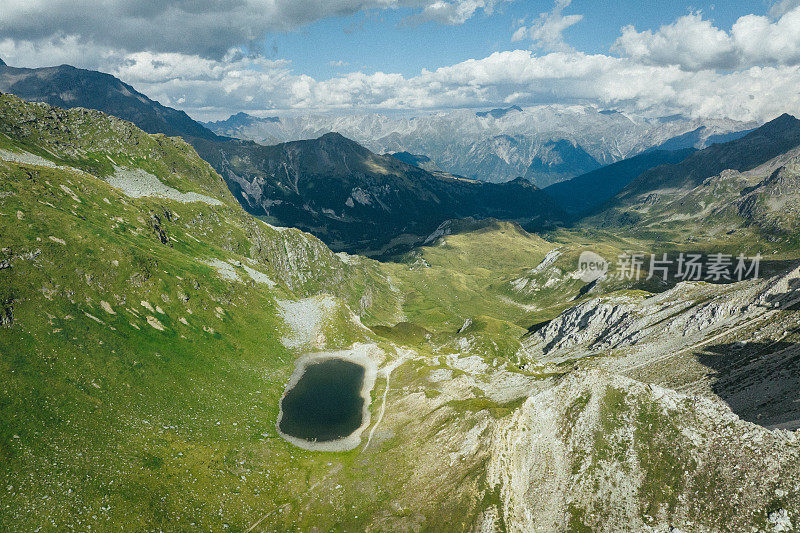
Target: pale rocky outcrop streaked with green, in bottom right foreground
{"x": 599, "y": 450}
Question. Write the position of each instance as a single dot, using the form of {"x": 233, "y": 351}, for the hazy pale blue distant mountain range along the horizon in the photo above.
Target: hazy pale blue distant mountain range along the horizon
{"x": 545, "y": 144}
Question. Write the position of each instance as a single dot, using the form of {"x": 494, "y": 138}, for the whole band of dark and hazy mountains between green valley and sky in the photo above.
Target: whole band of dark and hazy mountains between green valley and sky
{"x": 358, "y": 201}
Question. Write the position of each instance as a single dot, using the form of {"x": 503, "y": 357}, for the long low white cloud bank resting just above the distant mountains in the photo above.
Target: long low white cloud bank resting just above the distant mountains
{"x": 211, "y": 89}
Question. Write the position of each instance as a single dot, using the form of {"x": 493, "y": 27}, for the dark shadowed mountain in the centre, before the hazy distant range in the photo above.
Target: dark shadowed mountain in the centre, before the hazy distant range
{"x": 354, "y": 199}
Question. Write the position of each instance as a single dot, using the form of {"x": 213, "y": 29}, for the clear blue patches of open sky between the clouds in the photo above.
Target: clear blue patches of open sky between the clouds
{"x": 377, "y": 40}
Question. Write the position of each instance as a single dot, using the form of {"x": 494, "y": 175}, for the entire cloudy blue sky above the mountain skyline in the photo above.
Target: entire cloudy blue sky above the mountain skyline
{"x": 212, "y": 58}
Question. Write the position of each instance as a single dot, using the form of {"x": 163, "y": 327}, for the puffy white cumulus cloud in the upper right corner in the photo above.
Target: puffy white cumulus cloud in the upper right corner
{"x": 694, "y": 43}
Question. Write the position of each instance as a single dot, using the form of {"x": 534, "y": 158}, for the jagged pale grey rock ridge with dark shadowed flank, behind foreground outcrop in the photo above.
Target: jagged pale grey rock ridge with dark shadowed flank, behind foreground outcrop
{"x": 733, "y": 344}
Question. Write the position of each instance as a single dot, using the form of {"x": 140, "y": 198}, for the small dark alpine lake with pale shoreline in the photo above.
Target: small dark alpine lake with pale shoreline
{"x": 326, "y": 402}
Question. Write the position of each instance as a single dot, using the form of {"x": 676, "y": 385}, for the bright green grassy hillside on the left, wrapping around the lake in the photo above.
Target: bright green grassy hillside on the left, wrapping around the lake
{"x": 143, "y": 362}
